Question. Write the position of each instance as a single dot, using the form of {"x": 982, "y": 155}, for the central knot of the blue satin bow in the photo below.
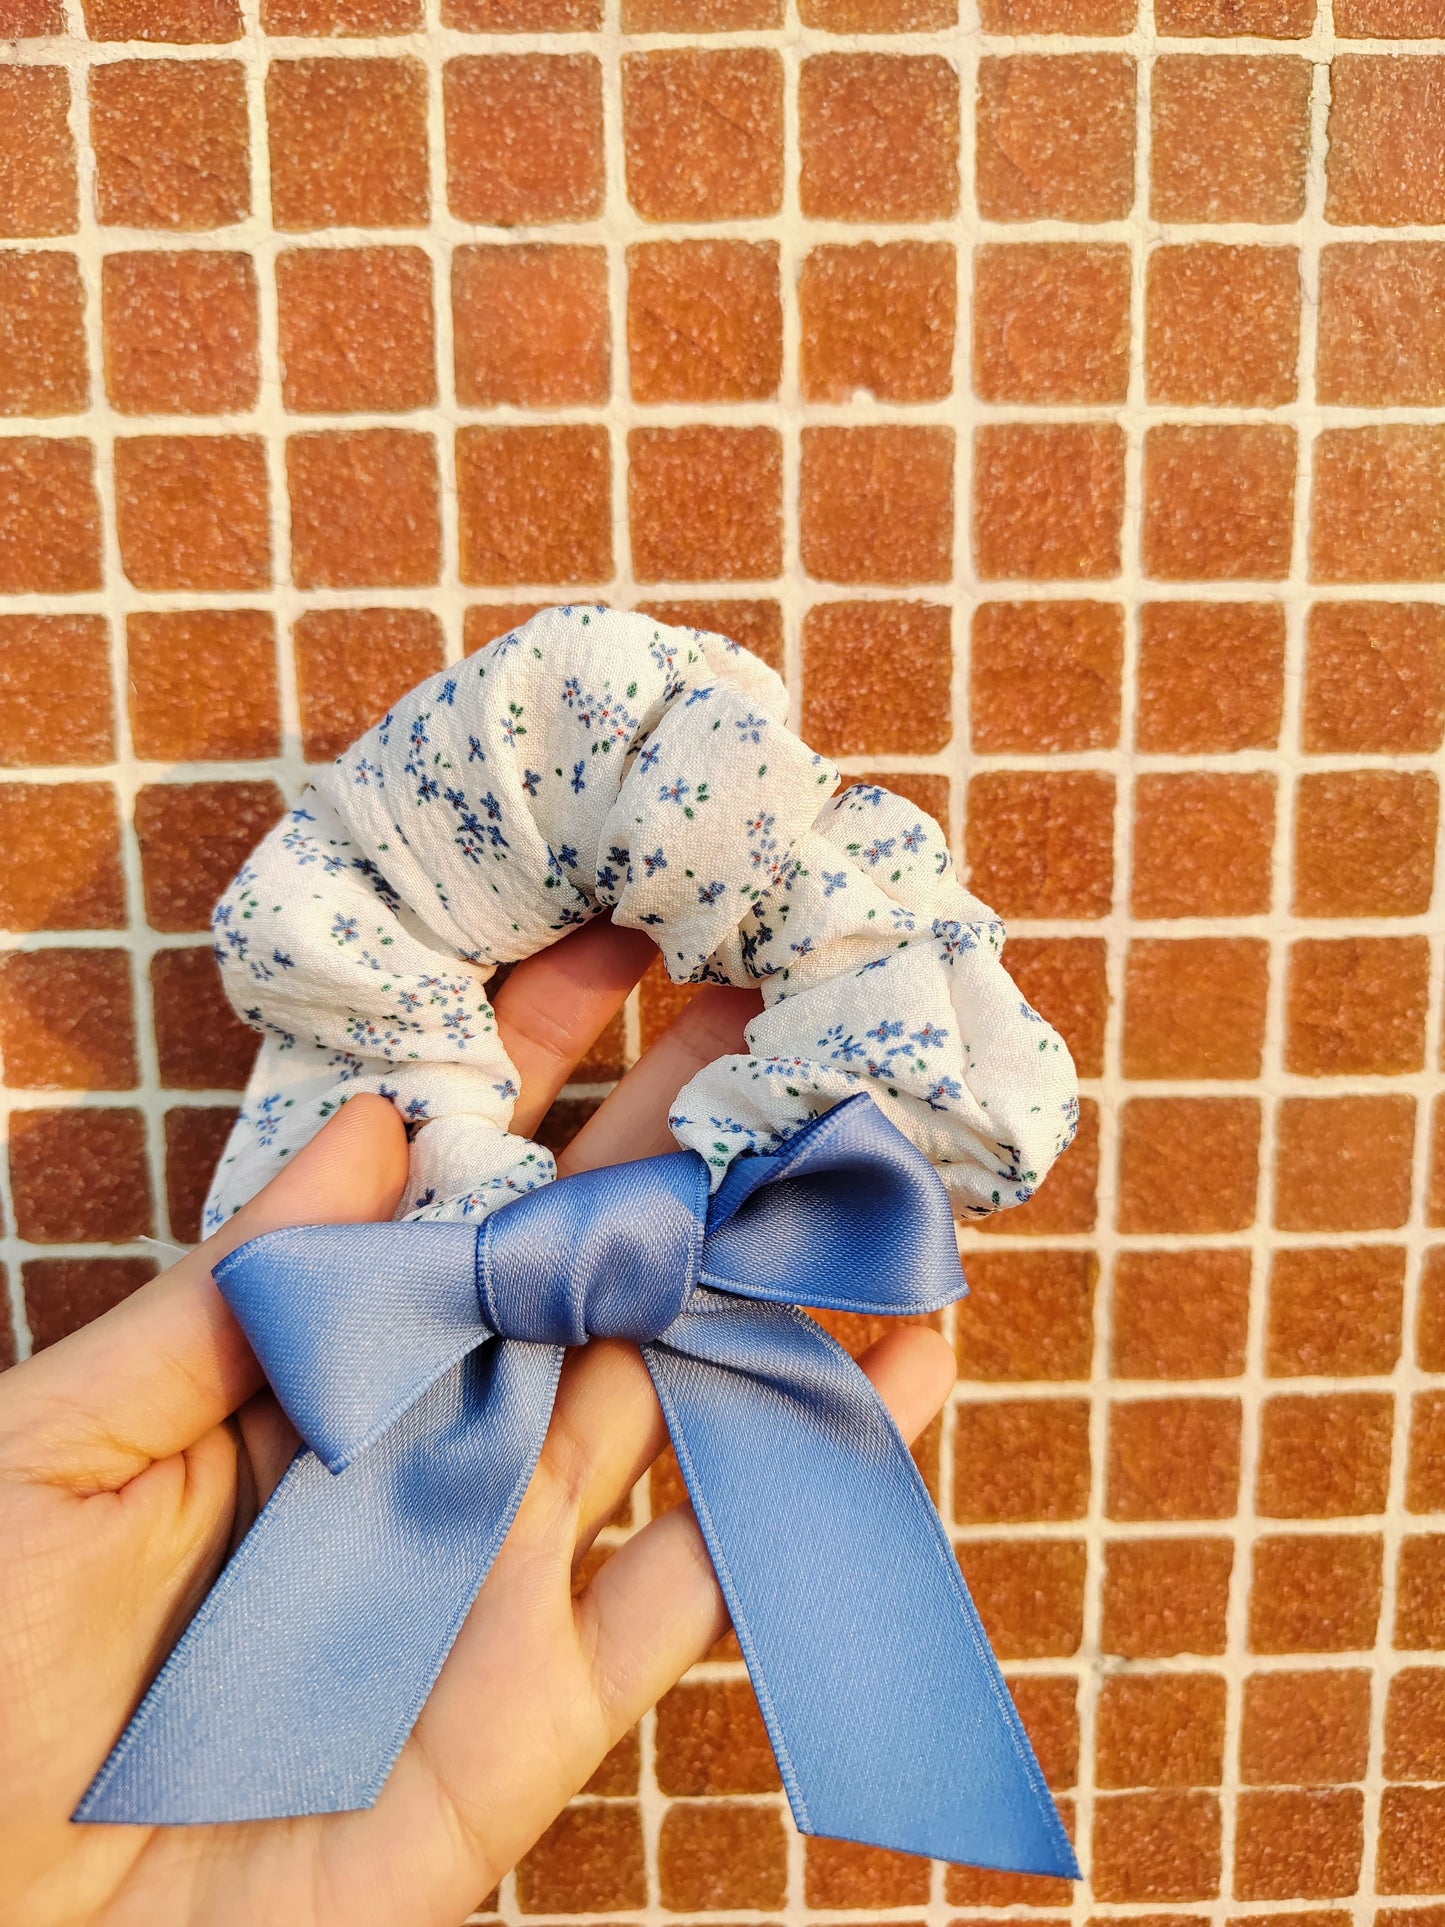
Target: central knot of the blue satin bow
{"x": 612, "y": 1254}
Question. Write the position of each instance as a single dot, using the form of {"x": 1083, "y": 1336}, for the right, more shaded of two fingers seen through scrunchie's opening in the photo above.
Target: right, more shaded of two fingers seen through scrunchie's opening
{"x": 633, "y": 1121}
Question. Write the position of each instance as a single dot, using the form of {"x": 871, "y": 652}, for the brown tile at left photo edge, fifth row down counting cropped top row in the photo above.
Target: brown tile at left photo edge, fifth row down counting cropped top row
{"x": 55, "y": 691}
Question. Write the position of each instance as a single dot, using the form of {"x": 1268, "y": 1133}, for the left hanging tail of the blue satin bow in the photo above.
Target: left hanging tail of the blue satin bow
{"x": 305, "y": 1670}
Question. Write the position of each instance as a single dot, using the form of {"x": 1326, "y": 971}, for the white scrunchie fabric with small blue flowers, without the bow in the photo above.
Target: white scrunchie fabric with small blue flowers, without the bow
{"x": 604, "y": 762}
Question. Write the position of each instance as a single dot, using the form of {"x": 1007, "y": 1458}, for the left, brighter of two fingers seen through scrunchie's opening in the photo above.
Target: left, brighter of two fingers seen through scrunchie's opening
{"x": 556, "y": 1005}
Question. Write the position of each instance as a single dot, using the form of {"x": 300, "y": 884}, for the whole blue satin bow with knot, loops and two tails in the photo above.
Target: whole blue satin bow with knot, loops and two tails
{"x": 309, "y": 1664}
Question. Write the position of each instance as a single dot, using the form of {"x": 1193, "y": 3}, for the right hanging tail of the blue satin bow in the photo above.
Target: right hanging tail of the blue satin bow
{"x": 885, "y": 1704}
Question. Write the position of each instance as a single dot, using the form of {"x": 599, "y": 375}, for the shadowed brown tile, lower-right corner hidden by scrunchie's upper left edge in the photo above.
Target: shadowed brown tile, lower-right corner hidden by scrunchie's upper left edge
{"x": 194, "y": 841}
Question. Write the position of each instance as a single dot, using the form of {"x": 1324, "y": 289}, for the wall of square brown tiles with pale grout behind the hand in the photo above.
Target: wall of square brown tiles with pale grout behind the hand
{"x": 1053, "y": 396}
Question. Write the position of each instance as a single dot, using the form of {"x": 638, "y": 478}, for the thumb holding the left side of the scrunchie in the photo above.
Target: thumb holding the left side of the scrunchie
{"x": 171, "y": 1363}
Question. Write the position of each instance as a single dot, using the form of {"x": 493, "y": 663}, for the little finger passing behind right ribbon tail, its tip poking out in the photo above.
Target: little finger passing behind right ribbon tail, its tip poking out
{"x": 656, "y": 1606}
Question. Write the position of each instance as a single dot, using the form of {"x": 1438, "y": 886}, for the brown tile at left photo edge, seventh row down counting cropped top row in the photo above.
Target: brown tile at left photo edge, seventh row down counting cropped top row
{"x": 68, "y": 1020}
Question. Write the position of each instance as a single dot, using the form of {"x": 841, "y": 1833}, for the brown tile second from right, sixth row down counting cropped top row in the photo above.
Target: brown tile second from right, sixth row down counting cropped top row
{"x": 1041, "y": 843}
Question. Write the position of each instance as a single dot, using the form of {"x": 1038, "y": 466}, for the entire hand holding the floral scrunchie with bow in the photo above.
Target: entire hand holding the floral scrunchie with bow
{"x": 136, "y": 1454}
